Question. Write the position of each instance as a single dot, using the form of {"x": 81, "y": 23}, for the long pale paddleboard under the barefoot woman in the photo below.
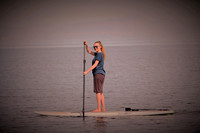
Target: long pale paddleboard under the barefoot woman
{"x": 107, "y": 113}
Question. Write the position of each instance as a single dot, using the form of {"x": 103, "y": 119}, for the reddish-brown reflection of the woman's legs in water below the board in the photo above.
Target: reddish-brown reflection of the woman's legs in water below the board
{"x": 100, "y": 125}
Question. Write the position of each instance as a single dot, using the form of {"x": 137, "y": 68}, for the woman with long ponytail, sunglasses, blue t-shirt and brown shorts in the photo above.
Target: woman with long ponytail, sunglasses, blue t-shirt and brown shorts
{"x": 98, "y": 73}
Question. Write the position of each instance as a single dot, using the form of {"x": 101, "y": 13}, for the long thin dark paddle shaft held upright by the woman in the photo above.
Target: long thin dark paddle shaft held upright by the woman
{"x": 84, "y": 61}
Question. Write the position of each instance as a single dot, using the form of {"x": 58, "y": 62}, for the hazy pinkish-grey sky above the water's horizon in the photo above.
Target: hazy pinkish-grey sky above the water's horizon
{"x": 117, "y": 22}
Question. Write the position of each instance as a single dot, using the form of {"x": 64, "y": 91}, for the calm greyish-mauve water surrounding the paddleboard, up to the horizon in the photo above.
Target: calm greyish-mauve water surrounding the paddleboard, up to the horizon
{"x": 137, "y": 76}
